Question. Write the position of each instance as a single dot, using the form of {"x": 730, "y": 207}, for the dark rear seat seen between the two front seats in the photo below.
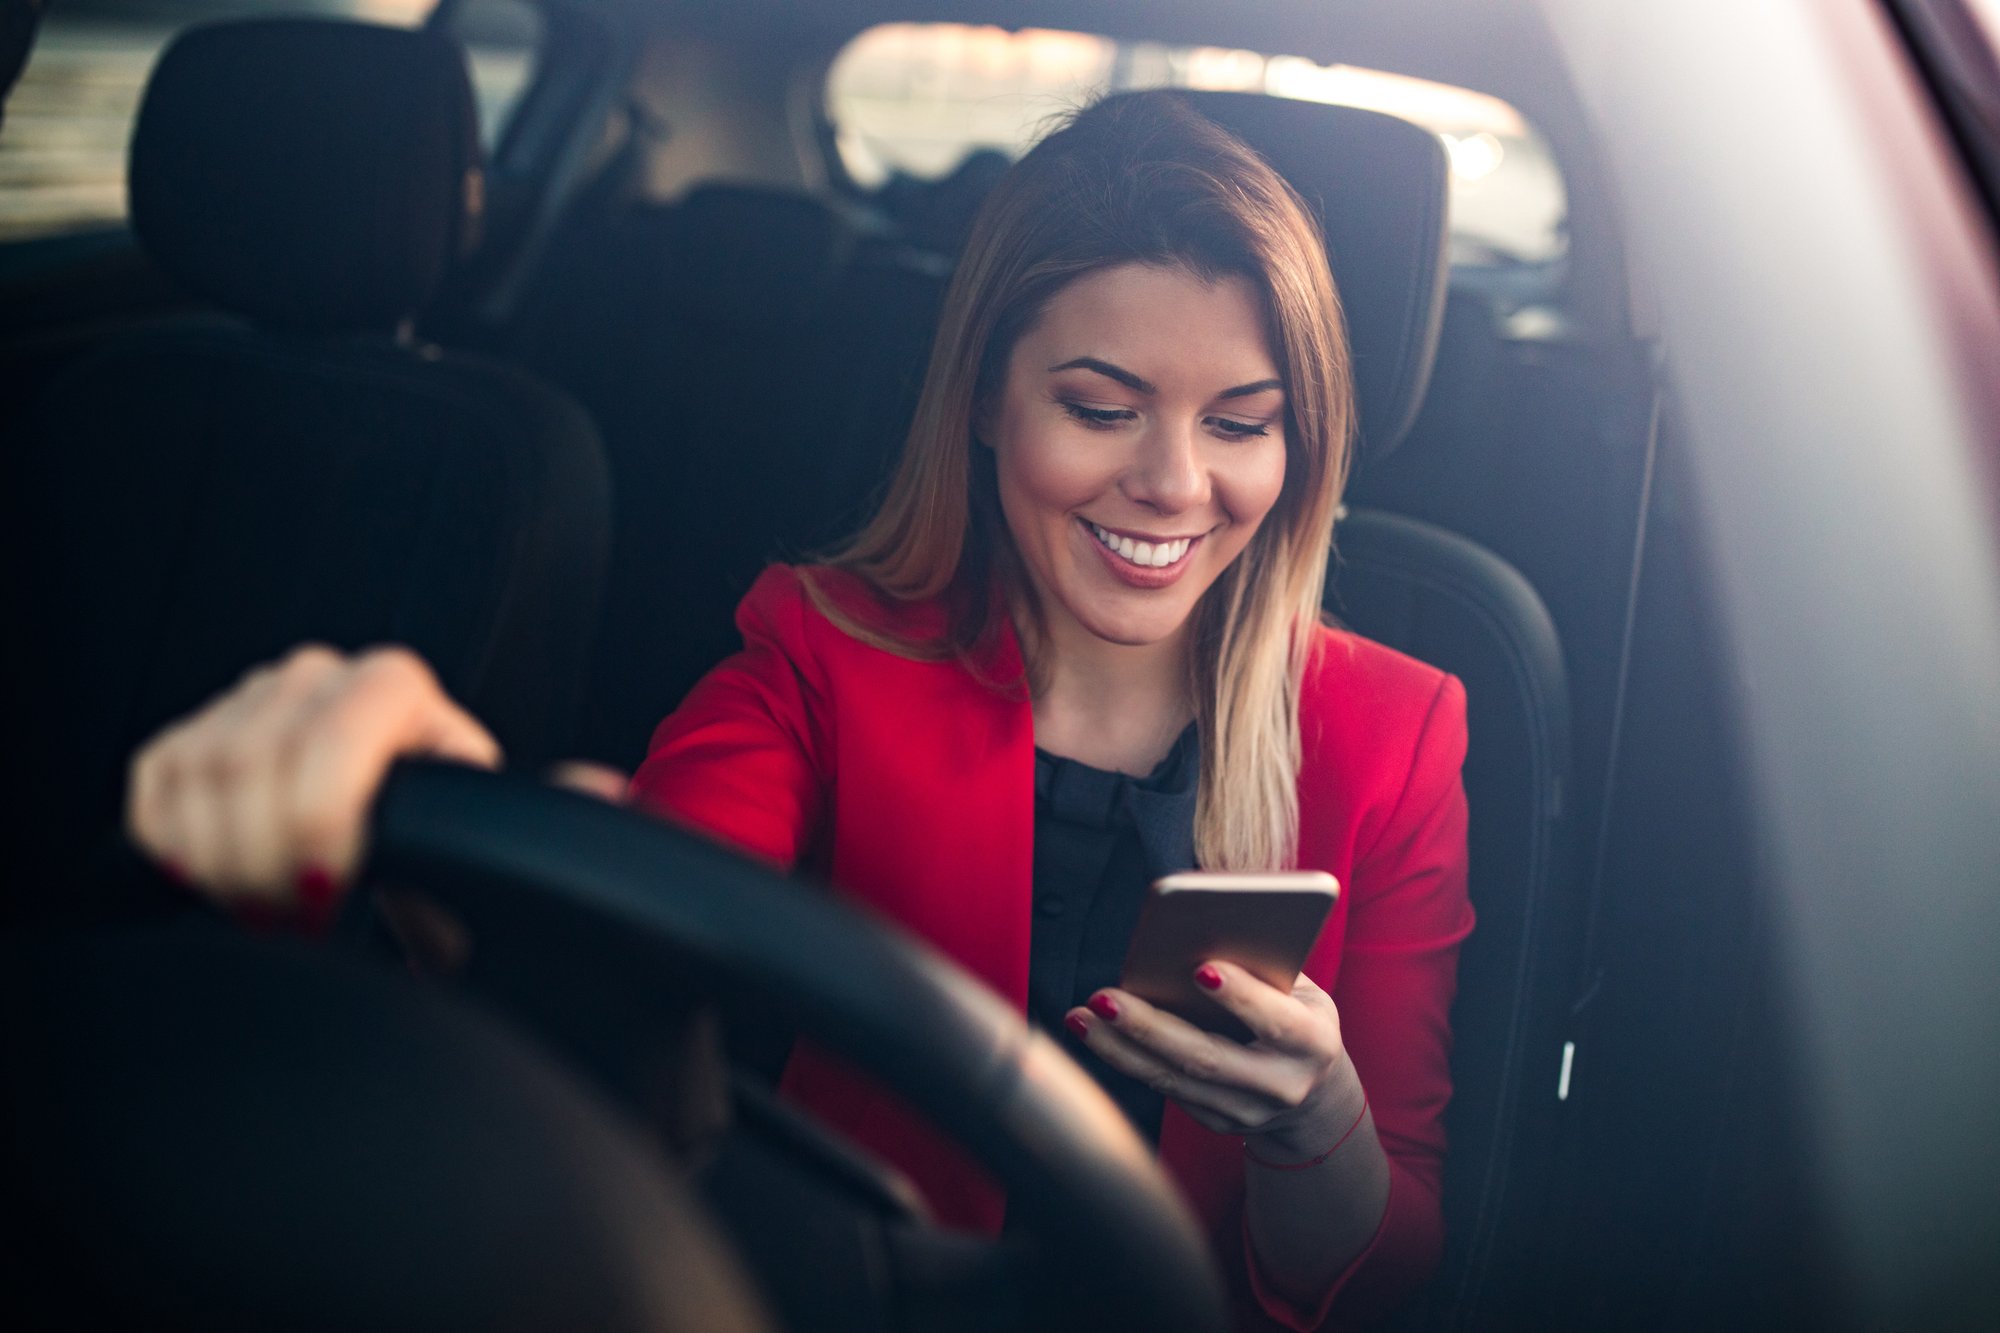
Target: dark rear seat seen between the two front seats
{"x": 753, "y": 359}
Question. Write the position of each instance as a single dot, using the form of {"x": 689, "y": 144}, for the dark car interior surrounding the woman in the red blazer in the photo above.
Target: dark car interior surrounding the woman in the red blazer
{"x": 611, "y": 365}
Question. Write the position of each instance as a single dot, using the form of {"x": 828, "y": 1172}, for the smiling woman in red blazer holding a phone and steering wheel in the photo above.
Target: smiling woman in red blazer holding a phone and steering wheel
{"x": 1099, "y": 569}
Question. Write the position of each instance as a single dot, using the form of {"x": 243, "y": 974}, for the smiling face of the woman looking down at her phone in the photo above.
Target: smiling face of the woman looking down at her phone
{"x": 1139, "y": 443}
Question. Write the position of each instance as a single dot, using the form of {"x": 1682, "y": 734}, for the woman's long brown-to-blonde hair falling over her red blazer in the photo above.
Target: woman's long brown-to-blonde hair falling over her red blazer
{"x": 1137, "y": 179}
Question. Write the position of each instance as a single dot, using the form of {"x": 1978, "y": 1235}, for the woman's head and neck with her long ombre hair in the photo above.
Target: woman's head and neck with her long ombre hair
{"x": 1139, "y": 235}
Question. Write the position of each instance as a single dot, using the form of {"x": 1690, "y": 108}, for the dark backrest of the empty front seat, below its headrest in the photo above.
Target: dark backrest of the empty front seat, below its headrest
{"x": 237, "y": 493}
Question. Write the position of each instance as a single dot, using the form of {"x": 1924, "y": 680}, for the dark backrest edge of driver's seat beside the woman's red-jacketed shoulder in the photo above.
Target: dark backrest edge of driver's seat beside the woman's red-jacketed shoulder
{"x": 1459, "y": 607}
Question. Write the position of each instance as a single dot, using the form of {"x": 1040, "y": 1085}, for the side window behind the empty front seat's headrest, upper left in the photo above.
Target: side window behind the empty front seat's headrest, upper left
{"x": 63, "y": 149}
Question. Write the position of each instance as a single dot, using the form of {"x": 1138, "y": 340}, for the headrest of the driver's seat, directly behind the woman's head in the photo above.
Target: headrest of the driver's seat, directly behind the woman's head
{"x": 1379, "y": 187}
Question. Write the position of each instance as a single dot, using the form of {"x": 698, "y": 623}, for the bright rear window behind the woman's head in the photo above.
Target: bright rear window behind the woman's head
{"x": 917, "y": 99}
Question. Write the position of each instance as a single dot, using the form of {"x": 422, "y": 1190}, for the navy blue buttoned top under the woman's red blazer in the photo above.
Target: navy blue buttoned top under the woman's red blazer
{"x": 1099, "y": 842}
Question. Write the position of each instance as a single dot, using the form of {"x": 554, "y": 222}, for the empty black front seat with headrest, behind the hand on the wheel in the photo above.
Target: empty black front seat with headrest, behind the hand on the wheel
{"x": 203, "y": 493}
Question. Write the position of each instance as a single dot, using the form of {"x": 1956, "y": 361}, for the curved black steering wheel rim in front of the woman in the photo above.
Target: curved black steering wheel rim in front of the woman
{"x": 517, "y": 858}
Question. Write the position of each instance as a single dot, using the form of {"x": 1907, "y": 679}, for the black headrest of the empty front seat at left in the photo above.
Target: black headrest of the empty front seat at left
{"x": 307, "y": 173}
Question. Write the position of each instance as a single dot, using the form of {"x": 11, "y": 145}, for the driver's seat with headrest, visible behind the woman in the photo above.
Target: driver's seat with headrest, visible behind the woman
{"x": 1381, "y": 191}
